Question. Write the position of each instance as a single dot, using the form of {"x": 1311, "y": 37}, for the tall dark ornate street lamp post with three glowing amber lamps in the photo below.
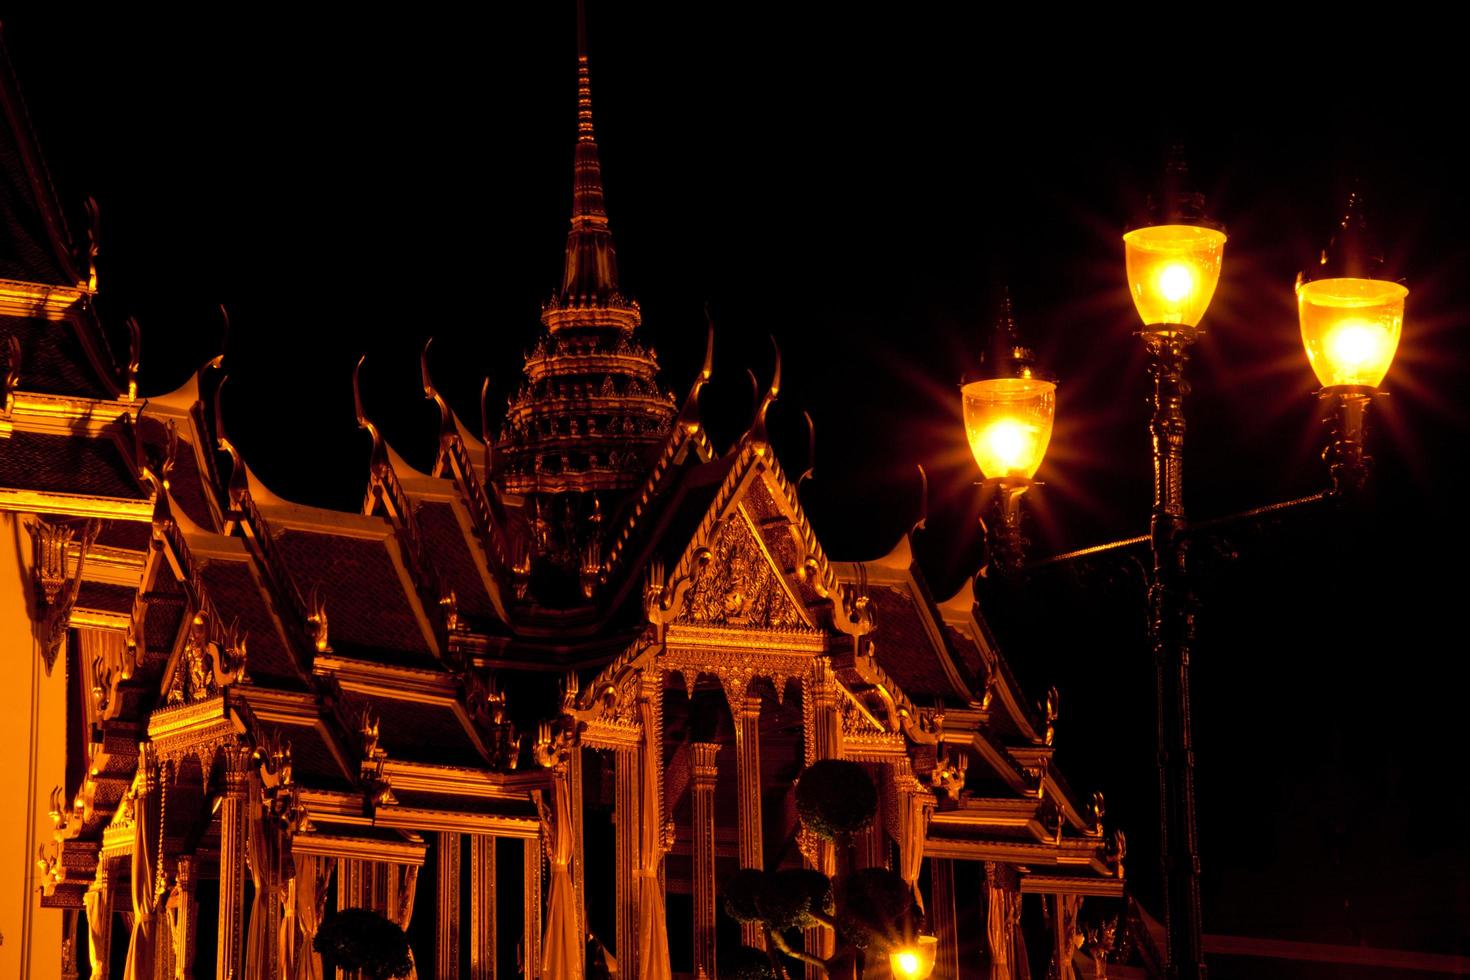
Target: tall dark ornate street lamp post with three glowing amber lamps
{"x": 1350, "y": 325}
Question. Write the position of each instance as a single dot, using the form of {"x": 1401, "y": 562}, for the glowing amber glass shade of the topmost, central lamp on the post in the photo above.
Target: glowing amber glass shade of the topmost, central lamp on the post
{"x": 1172, "y": 271}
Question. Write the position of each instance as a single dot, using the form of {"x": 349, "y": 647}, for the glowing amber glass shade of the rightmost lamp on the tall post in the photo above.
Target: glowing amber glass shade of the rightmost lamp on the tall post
{"x": 1352, "y": 328}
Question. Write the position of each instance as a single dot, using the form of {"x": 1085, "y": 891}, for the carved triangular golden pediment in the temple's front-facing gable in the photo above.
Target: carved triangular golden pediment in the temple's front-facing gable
{"x": 740, "y": 586}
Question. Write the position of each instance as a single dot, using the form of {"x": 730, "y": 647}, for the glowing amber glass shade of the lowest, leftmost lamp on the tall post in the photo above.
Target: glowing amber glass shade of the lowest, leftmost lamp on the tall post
{"x": 1008, "y": 422}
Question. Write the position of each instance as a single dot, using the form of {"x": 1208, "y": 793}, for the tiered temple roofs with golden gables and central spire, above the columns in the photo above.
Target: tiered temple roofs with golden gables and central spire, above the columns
{"x": 409, "y": 669}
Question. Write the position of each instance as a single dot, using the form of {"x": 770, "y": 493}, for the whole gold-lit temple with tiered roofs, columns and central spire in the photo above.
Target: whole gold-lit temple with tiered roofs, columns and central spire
{"x": 536, "y": 702}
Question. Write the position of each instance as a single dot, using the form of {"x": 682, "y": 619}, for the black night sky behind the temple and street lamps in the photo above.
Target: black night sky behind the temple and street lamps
{"x": 859, "y": 187}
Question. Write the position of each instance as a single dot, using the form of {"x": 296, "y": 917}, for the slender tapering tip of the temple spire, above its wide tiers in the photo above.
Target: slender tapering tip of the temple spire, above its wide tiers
{"x": 592, "y": 264}
